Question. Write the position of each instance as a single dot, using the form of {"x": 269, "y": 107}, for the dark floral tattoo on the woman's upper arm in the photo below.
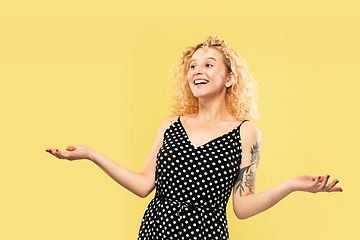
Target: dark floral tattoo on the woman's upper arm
{"x": 246, "y": 177}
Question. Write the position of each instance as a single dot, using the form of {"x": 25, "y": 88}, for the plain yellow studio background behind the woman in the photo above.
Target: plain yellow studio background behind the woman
{"x": 98, "y": 73}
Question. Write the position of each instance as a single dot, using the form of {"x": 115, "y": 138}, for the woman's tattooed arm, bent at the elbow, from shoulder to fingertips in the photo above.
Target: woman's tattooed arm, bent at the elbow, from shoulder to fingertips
{"x": 245, "y": 202}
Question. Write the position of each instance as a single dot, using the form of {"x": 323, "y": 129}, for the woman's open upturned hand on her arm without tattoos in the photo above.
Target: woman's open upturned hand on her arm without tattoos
{"x": 74, "y": 153}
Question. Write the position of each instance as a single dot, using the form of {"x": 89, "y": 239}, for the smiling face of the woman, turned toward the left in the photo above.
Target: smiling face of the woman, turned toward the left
{"x": 207, "y": 76}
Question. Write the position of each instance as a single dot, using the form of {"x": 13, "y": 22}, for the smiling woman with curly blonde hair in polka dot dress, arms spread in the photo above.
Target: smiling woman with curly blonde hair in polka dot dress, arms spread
{"x": 202, "y": 152}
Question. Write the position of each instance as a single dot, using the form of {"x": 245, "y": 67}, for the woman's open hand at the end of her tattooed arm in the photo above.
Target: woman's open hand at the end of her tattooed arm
{"x": 314, "y": 184}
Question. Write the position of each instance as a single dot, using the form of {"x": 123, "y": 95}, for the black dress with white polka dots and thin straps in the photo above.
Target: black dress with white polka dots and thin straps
{"x": 193, "y": 186}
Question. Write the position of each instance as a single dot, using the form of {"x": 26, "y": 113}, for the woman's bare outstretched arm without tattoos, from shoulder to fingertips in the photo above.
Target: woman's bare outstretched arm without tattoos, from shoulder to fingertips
{"x": 141, "y": 183}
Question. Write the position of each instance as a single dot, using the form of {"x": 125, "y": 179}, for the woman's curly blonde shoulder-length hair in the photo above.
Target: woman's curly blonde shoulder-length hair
{"x": 241, "y": 97}
